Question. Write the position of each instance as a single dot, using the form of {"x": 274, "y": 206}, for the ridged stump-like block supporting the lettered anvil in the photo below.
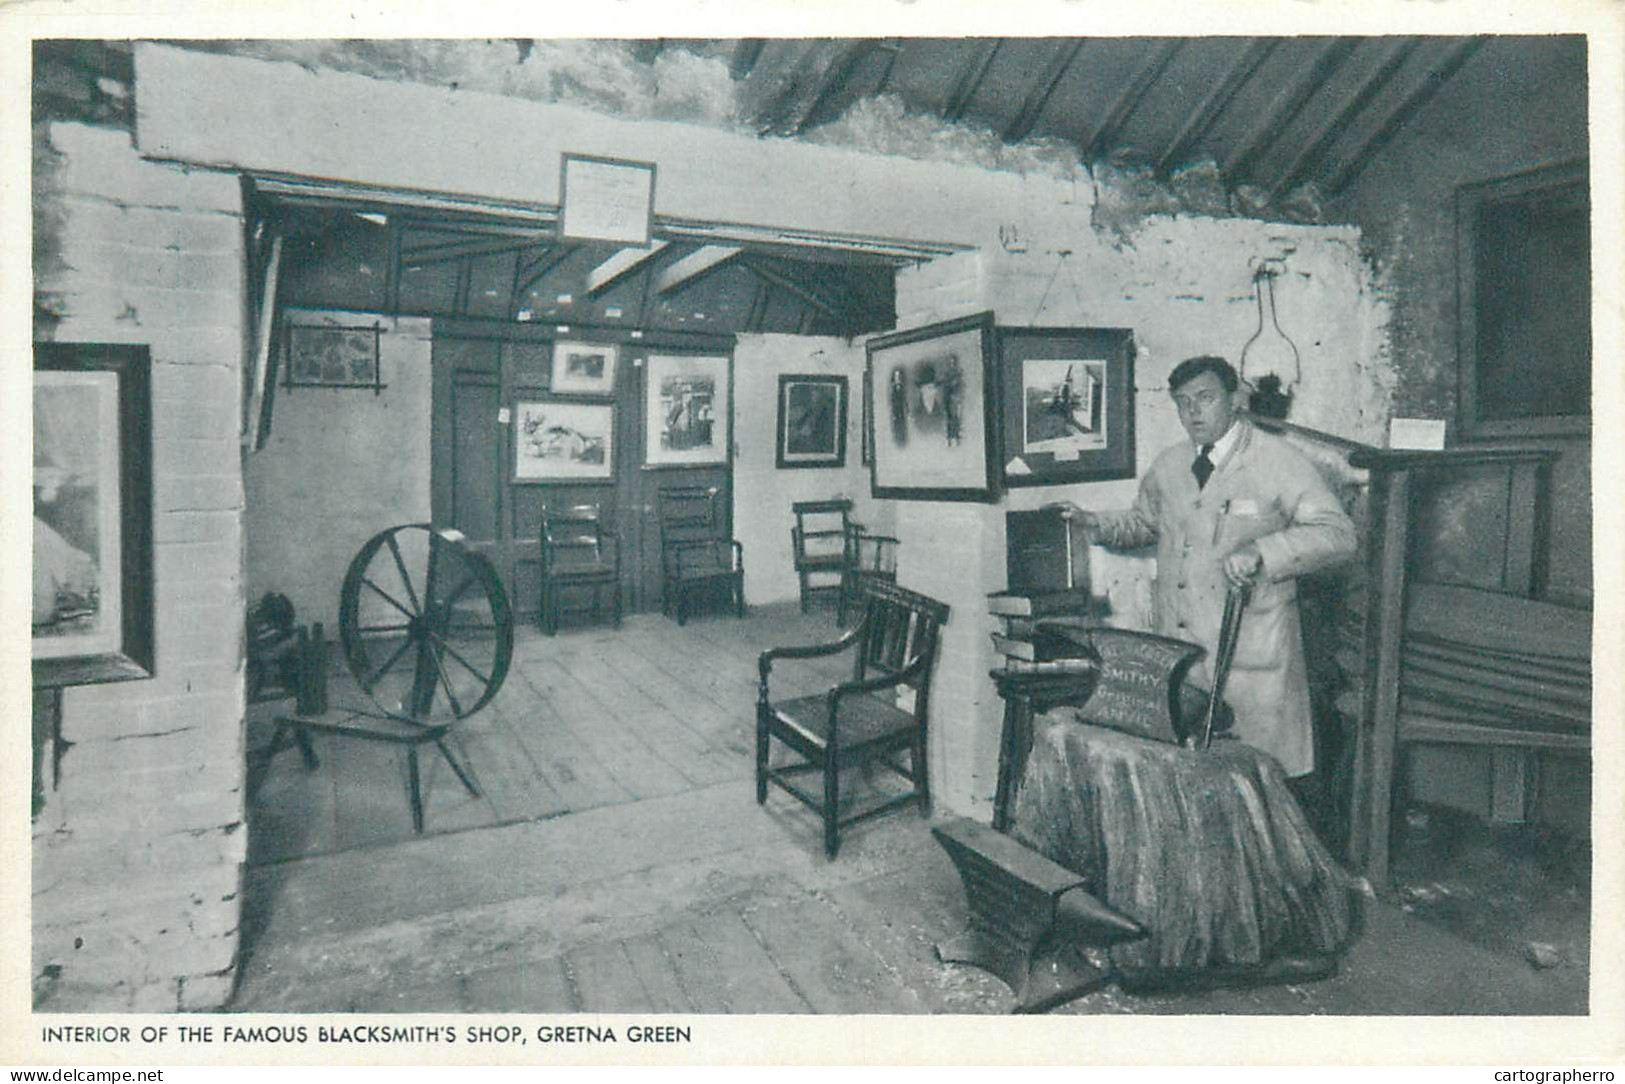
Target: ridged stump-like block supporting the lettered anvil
{"x": 1207, "y": 849}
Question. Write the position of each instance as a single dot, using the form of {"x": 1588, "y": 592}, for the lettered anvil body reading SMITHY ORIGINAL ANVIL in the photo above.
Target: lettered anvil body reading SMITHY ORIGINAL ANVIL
{"x": 1140, "y": 687}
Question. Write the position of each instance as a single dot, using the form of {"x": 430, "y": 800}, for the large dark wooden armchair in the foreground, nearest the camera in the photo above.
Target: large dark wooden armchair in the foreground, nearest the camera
{"x": 869, "y": 721}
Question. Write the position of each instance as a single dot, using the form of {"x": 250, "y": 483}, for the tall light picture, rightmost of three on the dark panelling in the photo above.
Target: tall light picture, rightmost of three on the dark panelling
{"x": 688, "y": 410}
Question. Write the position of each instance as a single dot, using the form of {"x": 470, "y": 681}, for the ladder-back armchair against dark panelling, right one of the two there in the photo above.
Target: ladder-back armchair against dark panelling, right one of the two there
{"x": 696, "y": 557}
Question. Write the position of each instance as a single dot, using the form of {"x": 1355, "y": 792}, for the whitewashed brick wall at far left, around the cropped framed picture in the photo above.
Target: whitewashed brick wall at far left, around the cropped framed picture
{"x": 137, "y": 854}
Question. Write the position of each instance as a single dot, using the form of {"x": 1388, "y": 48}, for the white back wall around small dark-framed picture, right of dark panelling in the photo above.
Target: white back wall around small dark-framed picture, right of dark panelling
{"x": 763, "y": 493}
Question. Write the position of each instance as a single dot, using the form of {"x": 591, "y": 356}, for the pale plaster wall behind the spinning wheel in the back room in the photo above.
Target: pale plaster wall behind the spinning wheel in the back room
{"x": 339, "y": 467}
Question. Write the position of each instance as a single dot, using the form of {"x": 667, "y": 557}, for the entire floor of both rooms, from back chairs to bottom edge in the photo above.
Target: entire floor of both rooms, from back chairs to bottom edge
{"x": 617, "y": 862}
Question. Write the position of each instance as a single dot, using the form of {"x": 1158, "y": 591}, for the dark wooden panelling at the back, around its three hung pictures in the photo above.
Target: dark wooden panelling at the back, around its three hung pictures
{"x": 482, "y": 370}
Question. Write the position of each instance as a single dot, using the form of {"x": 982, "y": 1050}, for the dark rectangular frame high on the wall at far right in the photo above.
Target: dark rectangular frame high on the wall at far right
{"x": 1523, "y": 275}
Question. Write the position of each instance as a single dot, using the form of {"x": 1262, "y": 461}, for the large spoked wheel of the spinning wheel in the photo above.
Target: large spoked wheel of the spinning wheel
{"x": 425, "y": 625}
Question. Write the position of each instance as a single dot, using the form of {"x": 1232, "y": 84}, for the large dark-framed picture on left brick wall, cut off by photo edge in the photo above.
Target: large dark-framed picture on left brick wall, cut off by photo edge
{"x": 93, "y": 514}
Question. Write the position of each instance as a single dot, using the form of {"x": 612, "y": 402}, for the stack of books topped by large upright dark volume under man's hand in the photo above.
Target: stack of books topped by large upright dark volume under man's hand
{"x": 1046, "y": 610}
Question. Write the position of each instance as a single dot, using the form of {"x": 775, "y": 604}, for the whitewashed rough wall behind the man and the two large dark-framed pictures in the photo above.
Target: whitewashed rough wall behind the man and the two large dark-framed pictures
{"x": 1184, "y": 285}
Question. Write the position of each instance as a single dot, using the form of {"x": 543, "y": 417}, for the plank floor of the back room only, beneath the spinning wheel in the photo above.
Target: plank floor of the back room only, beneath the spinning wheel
{"x": 587, "y": 719}
